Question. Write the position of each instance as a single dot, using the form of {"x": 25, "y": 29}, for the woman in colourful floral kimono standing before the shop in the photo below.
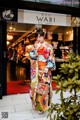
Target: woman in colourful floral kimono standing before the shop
{"x": 42, "y": 60}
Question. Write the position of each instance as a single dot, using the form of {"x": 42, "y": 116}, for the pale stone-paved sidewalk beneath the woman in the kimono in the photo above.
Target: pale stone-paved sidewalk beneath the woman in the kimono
{"x": 19, "y": 107}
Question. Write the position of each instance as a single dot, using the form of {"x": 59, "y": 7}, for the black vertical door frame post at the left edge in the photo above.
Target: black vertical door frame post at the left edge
{"x": 3, "y": 28}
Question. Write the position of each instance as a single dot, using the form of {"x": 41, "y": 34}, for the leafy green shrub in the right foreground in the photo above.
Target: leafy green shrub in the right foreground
{"x": 67, "y": 80}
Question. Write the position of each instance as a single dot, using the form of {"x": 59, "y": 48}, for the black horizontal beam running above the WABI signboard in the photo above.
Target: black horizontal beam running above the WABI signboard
{"x": 18, "y": 4}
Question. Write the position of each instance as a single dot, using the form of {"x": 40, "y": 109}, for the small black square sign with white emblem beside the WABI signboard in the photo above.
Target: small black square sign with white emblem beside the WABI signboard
{"x": 8, "y": 14}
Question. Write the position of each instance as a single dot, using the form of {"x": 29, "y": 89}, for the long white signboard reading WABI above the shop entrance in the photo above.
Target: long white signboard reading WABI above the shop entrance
{"x": 44, "y": 18}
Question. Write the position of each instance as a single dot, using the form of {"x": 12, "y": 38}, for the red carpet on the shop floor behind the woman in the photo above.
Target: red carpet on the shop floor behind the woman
{"x": 15, "y": 87}
